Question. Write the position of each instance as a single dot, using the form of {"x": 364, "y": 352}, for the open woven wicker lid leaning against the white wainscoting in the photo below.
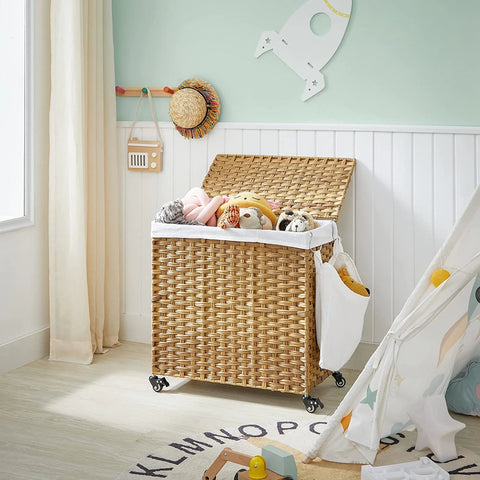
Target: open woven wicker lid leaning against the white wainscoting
{"x": 316, "y": 185}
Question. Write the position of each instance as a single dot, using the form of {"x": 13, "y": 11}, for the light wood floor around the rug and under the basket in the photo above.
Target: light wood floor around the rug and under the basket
{"x": 66, "y": 421}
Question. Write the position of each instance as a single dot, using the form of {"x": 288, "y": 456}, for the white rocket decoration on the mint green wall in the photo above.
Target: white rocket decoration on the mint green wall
{"x": 304, "y": 51}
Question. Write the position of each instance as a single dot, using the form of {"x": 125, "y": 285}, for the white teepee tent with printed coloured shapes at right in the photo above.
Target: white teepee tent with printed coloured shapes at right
{"x": 434, "y": 336}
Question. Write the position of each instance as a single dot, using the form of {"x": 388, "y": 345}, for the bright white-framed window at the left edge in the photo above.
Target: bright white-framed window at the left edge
{"x": 16, "y": 194}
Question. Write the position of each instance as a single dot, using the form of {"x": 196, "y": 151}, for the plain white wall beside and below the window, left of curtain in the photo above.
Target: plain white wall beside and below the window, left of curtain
{"x": 24, "y": 252}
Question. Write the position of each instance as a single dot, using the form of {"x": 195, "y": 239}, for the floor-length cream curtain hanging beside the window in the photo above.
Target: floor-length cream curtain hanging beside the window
{"x": 83, "y": 182}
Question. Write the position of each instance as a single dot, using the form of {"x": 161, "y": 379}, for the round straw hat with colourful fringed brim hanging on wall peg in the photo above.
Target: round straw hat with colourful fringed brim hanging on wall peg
{"x": 194, "y": 108}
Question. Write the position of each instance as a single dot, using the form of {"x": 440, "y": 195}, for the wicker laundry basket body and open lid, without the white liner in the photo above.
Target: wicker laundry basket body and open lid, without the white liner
{"x": 244, "y": 313}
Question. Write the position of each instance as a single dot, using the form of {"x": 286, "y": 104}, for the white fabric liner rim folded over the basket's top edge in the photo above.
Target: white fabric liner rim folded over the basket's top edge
{"x": 325, "y": 233}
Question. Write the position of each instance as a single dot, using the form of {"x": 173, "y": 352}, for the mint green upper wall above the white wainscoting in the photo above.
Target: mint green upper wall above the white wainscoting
{"x": 401, "y": 62}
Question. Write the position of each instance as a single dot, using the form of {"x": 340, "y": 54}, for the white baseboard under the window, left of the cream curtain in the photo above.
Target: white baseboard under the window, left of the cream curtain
{"x": 25, "y": 349}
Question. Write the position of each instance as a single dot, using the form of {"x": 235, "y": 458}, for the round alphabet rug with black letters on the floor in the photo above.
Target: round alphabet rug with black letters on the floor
{"x": 187, "y": 457}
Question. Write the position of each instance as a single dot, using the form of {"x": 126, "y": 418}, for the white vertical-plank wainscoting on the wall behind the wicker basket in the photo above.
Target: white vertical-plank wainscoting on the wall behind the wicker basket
{"x": 409, "y": 187}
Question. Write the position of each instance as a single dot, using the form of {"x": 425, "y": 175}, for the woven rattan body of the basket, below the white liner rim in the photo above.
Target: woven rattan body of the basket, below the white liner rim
{"x": 236, "y": 313}
